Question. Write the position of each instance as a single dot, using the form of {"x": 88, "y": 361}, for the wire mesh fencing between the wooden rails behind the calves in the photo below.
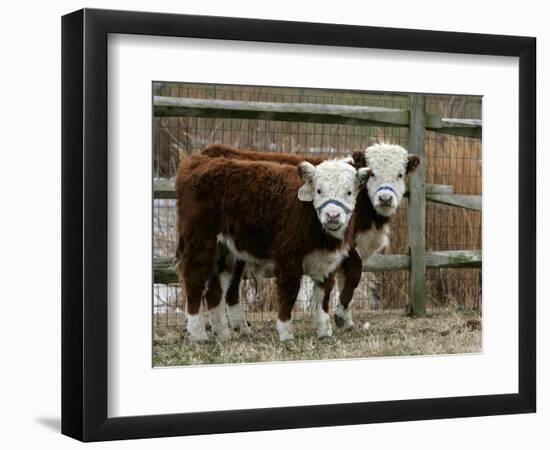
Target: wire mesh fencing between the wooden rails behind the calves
{"x": 452, "y": 160}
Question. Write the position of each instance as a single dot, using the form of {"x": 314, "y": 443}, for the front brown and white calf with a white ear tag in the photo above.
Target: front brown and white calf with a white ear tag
{"x": 294, "y": 219}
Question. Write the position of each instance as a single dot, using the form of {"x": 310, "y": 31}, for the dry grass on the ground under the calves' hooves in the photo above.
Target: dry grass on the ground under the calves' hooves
{"x": 444, "y": 331}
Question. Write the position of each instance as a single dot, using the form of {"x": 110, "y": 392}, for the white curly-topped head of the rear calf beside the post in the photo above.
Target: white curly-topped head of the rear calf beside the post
{"x": 389, "y": 164}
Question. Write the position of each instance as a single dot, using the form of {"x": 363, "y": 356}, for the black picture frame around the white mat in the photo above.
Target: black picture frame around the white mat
{"x": 84, "y": 224}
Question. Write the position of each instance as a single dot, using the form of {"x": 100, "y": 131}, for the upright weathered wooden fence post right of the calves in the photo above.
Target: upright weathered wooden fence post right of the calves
{"x": 417, "y": 209}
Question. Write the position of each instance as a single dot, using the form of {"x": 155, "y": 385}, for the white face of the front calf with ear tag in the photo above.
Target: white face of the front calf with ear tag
{"x": 332, "y": 186}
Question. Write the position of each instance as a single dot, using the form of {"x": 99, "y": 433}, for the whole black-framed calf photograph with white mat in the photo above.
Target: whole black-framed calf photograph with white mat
{"x": 273, "y": 224}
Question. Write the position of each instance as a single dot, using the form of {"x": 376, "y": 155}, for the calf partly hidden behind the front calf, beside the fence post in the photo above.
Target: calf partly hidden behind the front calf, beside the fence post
{"x": 376, "y": 203}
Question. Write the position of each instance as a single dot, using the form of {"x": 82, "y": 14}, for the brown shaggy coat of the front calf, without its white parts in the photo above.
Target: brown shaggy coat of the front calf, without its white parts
{"x": 257, "y": 205}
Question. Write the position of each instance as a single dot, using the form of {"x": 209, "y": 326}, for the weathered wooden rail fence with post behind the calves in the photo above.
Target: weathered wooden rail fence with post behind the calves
{"x": 415, "y": 118}
